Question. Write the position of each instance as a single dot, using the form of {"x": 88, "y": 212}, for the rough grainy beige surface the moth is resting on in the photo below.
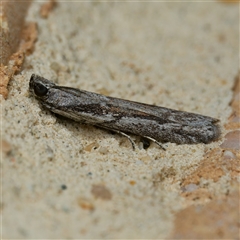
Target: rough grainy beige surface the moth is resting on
{"x": 77, "y": 181}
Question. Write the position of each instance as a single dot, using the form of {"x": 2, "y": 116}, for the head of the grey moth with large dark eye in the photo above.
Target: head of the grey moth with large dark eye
{"x": 39, "y": 86}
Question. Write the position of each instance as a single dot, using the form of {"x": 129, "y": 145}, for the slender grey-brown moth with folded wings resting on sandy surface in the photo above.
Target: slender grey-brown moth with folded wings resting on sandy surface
{"x": 158, "y": 124}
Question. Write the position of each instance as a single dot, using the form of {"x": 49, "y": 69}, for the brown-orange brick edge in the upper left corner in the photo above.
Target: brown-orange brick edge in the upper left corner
{"x": 17, "y": 40}
